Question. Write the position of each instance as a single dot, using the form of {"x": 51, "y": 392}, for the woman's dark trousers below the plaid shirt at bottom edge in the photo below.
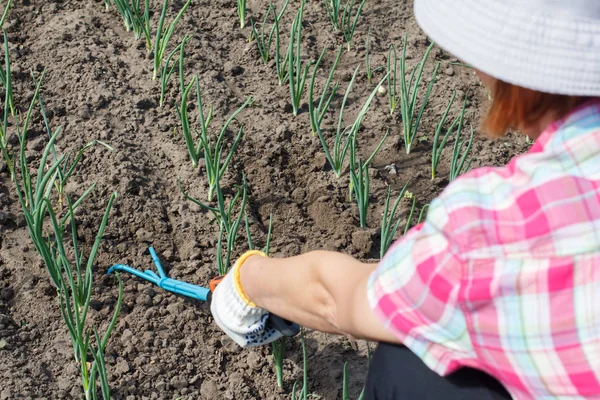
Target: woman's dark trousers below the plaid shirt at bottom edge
{"x": 397, "y": 373}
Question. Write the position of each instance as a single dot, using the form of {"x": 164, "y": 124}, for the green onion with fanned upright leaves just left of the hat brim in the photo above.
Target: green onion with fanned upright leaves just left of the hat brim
{"x": 406, "y": 96}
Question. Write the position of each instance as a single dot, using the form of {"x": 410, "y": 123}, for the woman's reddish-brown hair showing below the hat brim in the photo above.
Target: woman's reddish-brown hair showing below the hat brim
{"x": 515, "y": 107}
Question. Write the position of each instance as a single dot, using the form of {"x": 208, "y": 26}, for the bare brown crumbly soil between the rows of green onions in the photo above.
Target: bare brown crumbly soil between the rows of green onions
{"x": 98, "y": 86}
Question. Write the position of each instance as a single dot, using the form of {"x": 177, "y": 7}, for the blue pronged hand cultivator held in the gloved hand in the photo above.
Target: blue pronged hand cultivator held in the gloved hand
{"x": 287, "y": 328}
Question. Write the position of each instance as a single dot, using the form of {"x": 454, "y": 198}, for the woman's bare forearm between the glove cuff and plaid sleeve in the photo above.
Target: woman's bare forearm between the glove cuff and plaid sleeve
{"x": 321, "y": 290}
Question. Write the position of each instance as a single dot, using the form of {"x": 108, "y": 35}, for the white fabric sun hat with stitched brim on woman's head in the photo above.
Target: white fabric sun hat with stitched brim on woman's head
{"x": 551, "y": 46}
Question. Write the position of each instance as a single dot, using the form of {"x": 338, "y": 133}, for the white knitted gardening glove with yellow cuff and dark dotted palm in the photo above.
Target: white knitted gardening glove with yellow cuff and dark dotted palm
{"x": 236, "y": 315}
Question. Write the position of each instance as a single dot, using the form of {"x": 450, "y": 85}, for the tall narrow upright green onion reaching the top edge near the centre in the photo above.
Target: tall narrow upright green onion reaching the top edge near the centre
{"x": 297, "y": 73}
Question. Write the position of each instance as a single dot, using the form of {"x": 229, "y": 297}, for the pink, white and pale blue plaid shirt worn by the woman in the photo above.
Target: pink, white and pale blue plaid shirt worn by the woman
{"x": 504, "y": 275}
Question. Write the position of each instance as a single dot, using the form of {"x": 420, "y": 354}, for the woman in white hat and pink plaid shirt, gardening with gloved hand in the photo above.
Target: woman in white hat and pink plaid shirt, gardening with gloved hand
{"x": 499, "y": 287}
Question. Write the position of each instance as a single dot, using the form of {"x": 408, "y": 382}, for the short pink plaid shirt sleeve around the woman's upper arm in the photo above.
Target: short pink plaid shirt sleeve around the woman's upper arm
{"x": 415, "y": 292}
